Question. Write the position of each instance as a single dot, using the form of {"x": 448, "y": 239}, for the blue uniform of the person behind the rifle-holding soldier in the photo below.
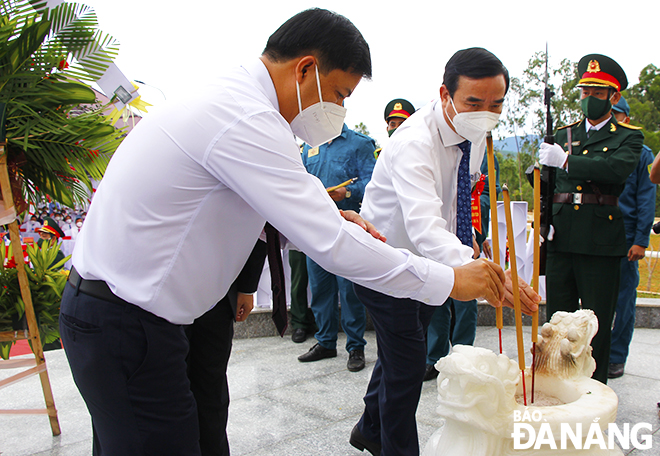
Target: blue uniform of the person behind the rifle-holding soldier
{"x": 637, "y": 204}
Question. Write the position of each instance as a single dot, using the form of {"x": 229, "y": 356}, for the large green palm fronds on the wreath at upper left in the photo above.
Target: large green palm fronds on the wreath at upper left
{"x": 58, "y": 139}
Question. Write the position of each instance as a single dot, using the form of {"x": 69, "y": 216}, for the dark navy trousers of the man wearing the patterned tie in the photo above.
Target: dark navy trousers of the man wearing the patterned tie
{"x": 396, "y": 381}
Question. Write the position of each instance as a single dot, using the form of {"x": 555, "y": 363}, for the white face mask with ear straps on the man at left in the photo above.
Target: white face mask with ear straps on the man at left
{"x": 320, "y": 122}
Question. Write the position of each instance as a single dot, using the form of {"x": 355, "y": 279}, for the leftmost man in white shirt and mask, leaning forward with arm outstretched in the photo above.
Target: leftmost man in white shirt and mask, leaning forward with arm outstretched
{"x": 187, "y": 194}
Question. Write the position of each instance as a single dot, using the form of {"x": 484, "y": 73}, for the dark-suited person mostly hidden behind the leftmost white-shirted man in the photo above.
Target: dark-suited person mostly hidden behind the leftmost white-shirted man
{"x": 210, "y": 337}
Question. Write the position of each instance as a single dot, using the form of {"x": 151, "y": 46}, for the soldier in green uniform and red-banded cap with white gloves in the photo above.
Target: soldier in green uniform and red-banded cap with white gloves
{"x": 587, "y": 240}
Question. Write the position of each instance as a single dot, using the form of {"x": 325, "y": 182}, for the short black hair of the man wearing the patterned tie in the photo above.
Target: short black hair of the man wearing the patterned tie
{"x": 474, "y": 63}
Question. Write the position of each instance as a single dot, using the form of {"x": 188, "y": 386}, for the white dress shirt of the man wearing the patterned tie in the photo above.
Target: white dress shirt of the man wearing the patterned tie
{"x": 411, "y": 197}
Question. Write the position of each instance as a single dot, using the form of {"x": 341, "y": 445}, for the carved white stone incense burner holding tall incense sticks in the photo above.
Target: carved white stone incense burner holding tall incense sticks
{"x": 480, "y": 398}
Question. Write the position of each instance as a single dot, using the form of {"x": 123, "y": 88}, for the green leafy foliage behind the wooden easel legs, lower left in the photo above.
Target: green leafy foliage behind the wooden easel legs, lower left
{"x": 47, "y": 282}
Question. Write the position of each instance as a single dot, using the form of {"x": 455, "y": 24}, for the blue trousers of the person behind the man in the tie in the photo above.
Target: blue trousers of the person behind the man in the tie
{"x": 453, "y": 323}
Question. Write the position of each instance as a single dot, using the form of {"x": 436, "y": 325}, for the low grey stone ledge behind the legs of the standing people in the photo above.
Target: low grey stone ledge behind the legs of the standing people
{"x": 260, "y": 324}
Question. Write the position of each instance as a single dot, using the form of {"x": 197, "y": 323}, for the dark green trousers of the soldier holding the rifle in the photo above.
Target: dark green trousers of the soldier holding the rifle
{"x": 592, "y": 280}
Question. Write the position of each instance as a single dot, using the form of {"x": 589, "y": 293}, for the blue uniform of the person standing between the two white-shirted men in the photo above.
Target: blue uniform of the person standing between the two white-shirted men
{"x": 349, "y": 155}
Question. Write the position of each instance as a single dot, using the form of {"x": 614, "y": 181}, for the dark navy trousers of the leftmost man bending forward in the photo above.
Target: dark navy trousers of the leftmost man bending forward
{"x": 130, "y": 368}
